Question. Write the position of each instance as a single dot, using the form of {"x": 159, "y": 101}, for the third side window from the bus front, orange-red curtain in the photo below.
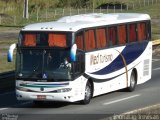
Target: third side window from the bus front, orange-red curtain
{"x": 101, "y": 37}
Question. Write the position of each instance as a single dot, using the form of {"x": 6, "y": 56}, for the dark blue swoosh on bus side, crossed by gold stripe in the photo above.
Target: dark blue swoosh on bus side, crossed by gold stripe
{"x": 131, "y": 52}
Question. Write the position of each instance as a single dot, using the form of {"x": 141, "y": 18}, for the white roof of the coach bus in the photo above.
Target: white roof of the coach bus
{"x": 77, "y": 22}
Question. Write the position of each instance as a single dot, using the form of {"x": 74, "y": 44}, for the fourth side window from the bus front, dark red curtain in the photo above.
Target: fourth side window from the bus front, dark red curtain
{"x": 112, "y": 35}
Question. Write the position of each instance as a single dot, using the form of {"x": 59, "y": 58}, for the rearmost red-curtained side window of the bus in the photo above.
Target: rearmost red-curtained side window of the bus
{"x": 141, "y": 27}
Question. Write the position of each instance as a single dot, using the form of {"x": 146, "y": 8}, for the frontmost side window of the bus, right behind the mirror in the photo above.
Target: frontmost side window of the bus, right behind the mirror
{"x": 79, "y": 40}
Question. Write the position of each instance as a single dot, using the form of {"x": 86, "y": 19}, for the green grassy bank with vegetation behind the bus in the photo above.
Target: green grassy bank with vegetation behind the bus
{"x": 11, "y": 11}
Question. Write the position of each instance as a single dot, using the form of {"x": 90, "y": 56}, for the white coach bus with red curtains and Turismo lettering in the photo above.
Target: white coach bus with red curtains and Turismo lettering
{"x": 82, "y": 56}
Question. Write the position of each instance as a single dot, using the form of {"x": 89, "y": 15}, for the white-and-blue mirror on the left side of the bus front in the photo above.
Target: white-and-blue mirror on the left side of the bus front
{"x": 10, "y": 52}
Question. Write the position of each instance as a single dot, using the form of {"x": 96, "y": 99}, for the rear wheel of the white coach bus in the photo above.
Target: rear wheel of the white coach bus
{"x": 133, "y": 81}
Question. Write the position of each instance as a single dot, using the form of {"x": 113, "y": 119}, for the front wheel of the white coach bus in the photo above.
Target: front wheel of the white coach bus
{"x": 88, "y": 94}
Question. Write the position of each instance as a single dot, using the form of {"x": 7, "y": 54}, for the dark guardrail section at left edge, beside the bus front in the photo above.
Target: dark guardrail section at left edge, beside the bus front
{"x": 7, "y": 81}
